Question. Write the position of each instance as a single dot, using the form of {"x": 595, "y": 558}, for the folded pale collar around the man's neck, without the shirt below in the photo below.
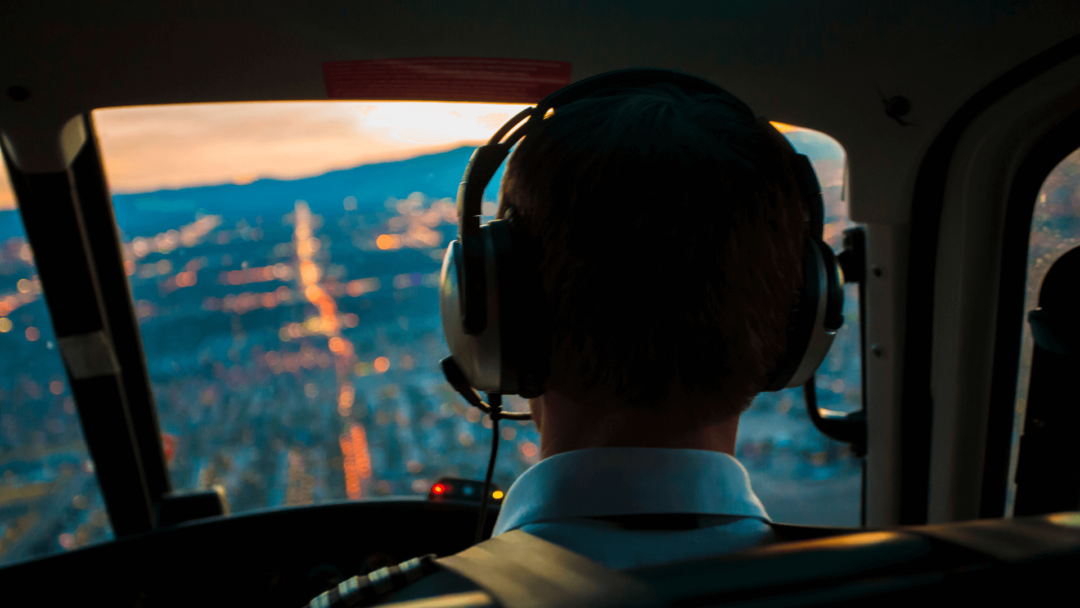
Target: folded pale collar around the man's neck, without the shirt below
{"x": 629, "y": 481}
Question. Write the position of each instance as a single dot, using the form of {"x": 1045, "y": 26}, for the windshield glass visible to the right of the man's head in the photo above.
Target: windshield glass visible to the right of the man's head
{"x": 801, "y": 476}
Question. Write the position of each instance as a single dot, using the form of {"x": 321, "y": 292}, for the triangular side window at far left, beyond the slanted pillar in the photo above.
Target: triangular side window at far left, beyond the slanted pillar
{"x": 49, "y": 496}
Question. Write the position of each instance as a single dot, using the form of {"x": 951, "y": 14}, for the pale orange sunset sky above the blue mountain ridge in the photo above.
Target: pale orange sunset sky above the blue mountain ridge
{"x": 166, "y": 147}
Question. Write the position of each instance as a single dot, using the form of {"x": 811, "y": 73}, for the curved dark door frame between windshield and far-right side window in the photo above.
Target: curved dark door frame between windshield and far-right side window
{"x": 970, "y": 383}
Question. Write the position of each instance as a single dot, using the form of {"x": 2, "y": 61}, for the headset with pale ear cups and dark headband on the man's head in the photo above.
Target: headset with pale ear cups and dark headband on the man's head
{"x": 490, "y": 285}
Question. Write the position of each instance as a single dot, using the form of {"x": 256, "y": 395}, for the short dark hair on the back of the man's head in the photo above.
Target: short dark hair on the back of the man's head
{"x": 670, "y": 236}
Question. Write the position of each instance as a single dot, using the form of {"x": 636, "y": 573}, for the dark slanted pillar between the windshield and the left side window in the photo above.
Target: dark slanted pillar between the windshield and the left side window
{"x": 93, "y": 315}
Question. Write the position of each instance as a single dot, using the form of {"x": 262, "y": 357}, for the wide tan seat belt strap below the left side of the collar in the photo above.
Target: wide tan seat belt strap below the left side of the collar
{"x": 521, "y": 571}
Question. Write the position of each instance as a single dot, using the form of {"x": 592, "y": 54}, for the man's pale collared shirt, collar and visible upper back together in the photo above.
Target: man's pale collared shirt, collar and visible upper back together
{"x": 551, "y": 499}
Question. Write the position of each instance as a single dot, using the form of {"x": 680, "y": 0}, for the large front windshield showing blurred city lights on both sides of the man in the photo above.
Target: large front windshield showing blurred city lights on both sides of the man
{"x": 285, "y": 260}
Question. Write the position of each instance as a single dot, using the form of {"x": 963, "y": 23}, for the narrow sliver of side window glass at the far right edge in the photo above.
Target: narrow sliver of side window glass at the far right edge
{"x": 1056, "y": 229}
